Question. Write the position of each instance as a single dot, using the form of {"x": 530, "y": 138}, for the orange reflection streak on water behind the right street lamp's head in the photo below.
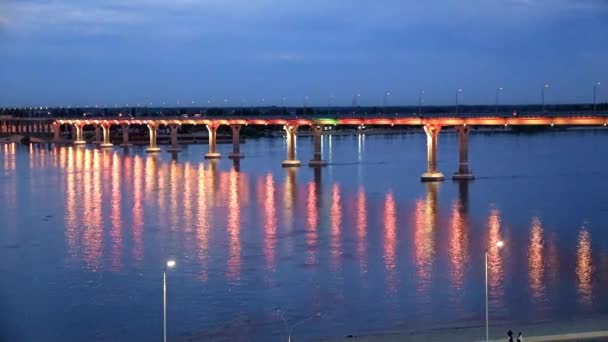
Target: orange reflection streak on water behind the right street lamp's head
{"x": 495, "y": 263}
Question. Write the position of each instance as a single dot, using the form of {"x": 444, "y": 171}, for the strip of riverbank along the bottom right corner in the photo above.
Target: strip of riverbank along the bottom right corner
{"x": 570, "y": 330}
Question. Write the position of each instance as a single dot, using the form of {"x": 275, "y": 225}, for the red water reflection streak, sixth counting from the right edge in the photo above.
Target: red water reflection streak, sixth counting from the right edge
{"x": 390, "y": 239}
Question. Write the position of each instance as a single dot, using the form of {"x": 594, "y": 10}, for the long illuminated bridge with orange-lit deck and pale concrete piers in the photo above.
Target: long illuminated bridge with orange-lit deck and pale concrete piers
{"x": 431, "y": 124}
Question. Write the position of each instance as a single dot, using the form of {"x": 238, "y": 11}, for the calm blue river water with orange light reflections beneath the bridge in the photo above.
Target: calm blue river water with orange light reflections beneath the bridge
{"x": 360, "y": 246}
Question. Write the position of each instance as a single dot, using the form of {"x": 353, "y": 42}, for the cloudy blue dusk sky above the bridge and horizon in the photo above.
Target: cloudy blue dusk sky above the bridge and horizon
{"x": 185, "y": 52}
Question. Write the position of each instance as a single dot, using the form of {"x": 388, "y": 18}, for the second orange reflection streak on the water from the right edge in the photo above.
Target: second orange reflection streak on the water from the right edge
{"x": 535, "y": 260}
